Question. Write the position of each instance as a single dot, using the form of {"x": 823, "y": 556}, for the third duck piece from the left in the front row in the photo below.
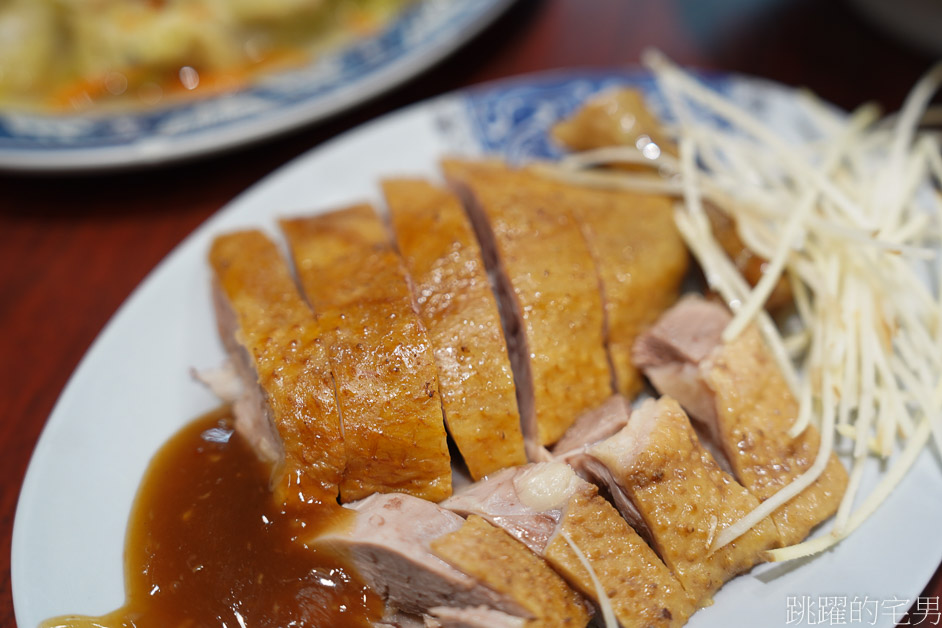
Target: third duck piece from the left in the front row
{"x": 667, "y": 485}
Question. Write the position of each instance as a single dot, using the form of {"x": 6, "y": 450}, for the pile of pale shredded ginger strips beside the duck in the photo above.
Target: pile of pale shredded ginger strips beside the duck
{"x": 852, "y": 219}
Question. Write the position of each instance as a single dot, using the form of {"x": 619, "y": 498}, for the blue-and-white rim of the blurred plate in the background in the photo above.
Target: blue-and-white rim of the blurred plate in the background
{"x": 420, "y": 37}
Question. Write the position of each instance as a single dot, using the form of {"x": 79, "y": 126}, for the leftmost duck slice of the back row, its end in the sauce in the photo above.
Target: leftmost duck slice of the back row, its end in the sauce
{"x": 287, "y": 409}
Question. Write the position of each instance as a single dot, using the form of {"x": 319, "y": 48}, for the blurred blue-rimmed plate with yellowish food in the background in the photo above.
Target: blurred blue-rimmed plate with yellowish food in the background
{"x": 99, "y": 84}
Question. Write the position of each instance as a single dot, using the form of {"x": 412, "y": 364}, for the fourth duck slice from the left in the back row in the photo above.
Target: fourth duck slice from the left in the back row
{"x": 549, "y": 293}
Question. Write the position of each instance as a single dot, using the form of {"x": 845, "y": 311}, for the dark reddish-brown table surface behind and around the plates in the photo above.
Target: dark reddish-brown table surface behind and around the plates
{"x": 72, "y": 248}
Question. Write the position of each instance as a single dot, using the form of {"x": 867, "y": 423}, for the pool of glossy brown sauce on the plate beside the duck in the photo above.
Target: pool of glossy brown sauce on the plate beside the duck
{"x": 207, "y": 546}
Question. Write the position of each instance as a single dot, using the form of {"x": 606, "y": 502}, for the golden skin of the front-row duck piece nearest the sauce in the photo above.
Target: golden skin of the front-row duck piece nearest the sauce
{"x": 503, "y": 564}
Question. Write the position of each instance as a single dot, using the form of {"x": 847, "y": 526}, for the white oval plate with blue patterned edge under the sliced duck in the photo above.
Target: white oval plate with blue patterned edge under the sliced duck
{"x": 133, "y": 390}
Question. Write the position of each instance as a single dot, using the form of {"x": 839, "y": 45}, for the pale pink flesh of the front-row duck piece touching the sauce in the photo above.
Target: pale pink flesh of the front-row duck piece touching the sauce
{"x": 388, "y": 543}
